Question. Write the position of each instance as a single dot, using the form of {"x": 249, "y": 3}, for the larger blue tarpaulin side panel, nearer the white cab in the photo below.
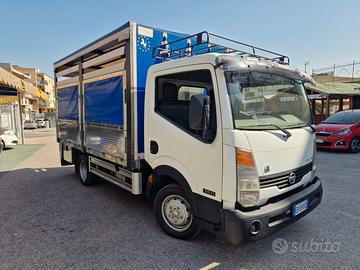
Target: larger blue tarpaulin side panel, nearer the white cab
{"x": 104, "y": 101}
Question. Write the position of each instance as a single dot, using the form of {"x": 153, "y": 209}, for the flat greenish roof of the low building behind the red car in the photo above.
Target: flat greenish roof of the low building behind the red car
{"x": 335, "y": 88}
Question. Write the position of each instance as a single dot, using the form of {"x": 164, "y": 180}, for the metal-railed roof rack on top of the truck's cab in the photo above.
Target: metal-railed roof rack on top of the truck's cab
{"x": 200, "y": 44}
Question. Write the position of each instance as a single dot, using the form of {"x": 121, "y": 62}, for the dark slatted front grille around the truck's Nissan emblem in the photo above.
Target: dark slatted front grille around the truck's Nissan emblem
{"x": 281, "y": 180}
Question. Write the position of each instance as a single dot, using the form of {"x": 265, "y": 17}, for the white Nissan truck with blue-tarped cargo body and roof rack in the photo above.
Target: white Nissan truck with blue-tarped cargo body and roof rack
{"x": 215, "y": 132}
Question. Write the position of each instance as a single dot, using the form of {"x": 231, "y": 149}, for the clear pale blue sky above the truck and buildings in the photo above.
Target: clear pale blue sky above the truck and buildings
{"x": 325, "y": 32}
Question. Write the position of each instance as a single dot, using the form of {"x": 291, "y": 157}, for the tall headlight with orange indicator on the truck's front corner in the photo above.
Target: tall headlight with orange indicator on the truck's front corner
{"x": 248, "y": 187}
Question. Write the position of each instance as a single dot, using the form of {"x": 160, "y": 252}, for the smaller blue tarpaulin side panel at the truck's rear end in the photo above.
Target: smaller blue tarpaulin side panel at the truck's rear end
{"x": 68, "y": 103}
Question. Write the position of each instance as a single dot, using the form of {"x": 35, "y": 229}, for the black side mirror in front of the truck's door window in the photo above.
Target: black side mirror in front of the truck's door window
{"x": 199, "y": 113}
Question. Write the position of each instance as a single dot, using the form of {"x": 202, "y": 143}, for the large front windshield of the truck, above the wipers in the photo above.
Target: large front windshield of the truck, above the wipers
{"x": 264, "y": 101}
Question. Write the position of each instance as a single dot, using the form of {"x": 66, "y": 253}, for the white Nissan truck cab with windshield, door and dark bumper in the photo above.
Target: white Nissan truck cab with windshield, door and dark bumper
{"x": 238, "y": 131}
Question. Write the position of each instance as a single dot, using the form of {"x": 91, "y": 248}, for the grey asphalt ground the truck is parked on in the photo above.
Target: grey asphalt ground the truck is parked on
{"x": 48, "y": 220}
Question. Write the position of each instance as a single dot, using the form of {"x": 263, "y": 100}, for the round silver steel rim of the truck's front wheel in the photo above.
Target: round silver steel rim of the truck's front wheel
{"x": 176, "y": 212}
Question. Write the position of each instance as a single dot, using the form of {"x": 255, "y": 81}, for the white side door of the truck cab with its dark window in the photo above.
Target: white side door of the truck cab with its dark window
{"x": 170, "y": 140}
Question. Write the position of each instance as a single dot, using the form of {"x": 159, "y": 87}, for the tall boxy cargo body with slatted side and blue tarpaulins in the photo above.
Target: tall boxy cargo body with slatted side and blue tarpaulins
{"x": 101, "y": 99}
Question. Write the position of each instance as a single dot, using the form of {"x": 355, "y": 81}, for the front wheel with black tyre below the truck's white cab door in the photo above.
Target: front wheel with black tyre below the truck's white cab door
{"x": 173, "y": 212}
